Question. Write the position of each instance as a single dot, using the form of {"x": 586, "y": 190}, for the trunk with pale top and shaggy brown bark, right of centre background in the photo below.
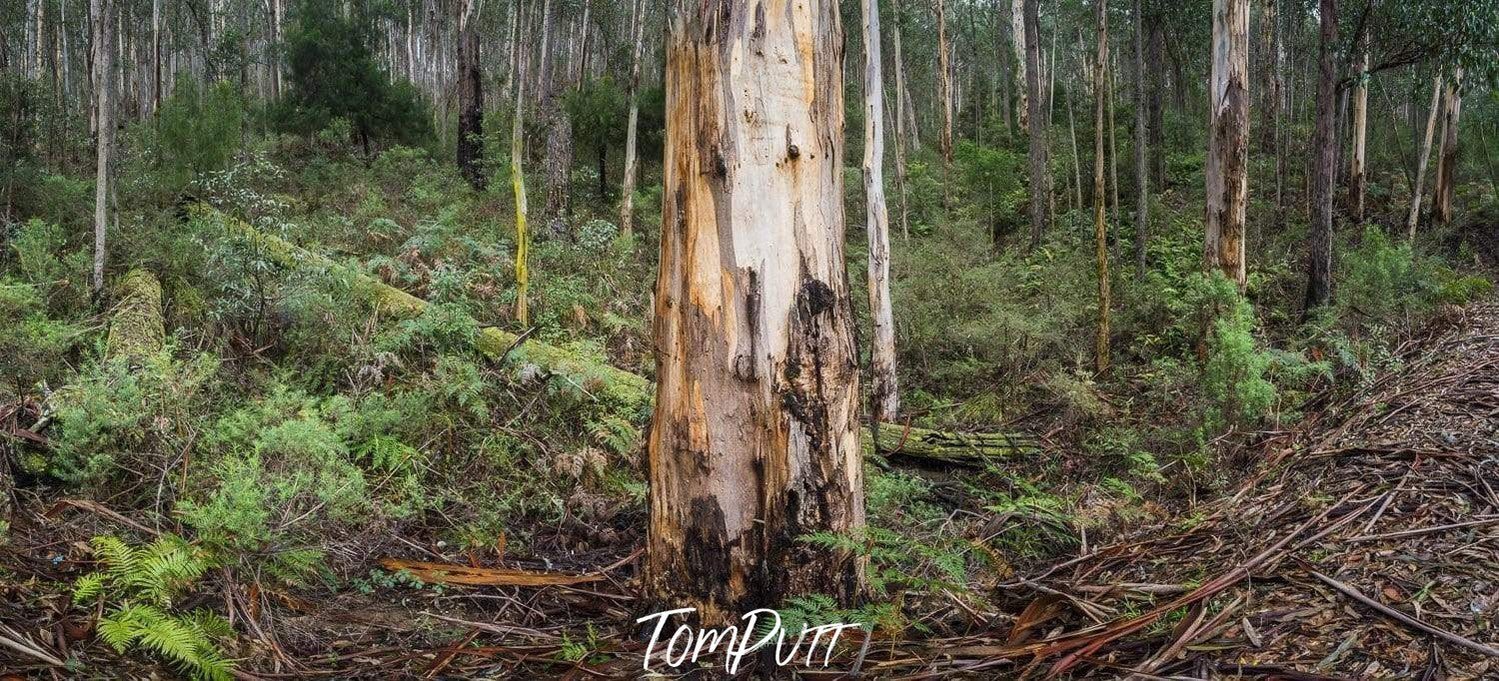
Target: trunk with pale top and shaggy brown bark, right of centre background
{"x": 1228, "y": 140}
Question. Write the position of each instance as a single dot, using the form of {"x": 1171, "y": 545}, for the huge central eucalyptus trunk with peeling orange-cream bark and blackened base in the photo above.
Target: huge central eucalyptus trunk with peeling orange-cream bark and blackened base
{"x": 755, "y": 442}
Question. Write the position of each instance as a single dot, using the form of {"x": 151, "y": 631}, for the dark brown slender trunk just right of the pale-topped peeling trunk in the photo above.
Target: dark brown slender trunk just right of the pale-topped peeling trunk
{"x": 1320, "y": 251}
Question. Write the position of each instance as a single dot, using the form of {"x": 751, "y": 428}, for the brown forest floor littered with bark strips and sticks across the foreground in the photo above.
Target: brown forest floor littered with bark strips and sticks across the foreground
{"x": 1362, "y": 547}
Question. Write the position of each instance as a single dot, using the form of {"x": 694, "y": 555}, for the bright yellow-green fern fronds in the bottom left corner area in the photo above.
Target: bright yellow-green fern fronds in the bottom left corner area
{"x": 139, "y": 586}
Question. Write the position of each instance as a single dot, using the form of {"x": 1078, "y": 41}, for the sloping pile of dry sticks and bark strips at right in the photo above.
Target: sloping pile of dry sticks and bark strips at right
{"x": 1366, "y": 550}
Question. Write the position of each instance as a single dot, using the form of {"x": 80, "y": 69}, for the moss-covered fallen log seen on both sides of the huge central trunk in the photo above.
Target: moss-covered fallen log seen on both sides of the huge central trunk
{"x": 632, "y": 392}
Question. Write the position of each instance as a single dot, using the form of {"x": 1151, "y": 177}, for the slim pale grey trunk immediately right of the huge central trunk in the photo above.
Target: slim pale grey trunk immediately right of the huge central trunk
{"x": 885, "y": 401}
